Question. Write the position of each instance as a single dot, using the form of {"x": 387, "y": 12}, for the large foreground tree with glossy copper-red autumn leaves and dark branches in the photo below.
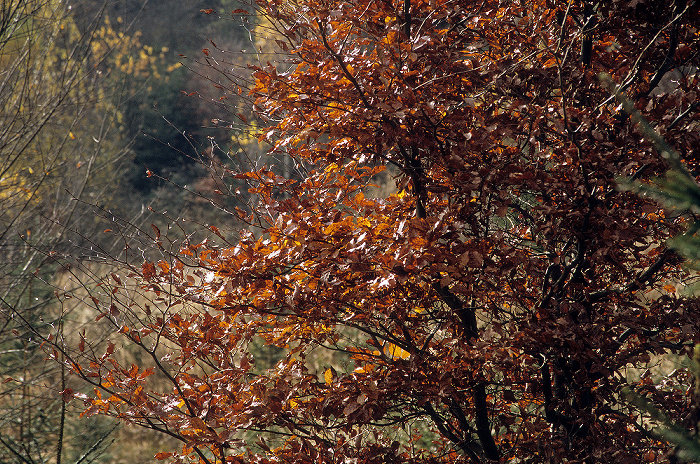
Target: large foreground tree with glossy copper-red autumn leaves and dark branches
{"x": 491, "y": 308}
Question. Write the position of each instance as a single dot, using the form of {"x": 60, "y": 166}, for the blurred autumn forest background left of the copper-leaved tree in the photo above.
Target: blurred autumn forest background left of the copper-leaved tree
{"x": 93, "y": 94}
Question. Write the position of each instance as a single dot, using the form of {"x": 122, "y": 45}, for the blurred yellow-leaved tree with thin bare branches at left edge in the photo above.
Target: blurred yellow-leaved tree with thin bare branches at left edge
{"x": 62, "y": 148}
